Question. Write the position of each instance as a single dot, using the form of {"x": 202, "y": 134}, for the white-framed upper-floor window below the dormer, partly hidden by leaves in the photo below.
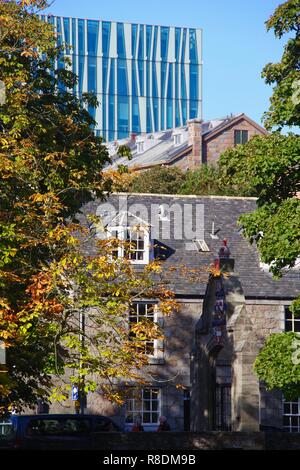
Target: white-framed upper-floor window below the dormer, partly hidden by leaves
{"x": 140, "y": 311}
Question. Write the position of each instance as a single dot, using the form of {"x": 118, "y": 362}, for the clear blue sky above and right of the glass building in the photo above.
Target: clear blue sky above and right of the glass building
{"x": 236, "y": 44}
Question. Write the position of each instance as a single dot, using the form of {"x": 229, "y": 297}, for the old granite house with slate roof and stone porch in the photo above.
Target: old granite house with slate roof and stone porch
{"x": 200, "y": 376}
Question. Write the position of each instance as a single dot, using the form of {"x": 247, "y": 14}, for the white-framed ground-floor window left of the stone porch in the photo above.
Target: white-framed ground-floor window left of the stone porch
{"x": 143, "y": 404}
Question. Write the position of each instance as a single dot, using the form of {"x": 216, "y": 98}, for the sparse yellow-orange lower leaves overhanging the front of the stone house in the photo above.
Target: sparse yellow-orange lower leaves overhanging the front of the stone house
{"x": 88, "y": 299}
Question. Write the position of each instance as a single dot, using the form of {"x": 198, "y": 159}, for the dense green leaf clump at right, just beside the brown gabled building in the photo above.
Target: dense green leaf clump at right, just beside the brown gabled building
{"x": 267, "y": 166}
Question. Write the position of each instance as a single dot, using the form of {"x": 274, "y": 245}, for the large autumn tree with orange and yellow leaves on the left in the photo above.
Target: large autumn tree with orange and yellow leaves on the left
{"x": 50, "y": 165}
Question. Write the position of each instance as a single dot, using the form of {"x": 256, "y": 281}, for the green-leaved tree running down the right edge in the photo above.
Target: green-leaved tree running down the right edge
{"x": 270, "y": 167}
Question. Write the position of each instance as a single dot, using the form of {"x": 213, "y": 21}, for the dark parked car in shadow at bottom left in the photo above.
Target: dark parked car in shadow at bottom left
{"x": 56, "y": 431}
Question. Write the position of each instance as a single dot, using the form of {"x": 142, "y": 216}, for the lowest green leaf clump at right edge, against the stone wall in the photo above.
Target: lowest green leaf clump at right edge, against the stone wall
{"x": 277, "y": 366}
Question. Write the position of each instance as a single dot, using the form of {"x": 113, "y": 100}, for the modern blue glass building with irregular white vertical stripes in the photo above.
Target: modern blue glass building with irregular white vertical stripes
{"x": 147, "y": 78}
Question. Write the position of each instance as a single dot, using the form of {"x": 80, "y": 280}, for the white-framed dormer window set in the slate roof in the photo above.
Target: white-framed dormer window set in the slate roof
{"x": 135, "y": 243}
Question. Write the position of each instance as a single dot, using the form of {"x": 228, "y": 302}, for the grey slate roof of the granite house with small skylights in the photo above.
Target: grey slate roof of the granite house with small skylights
{"x": 224, "y": 212}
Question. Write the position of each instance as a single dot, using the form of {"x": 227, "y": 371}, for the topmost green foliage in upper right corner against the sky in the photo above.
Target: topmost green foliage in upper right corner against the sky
{"x": 285, "y": 75}
